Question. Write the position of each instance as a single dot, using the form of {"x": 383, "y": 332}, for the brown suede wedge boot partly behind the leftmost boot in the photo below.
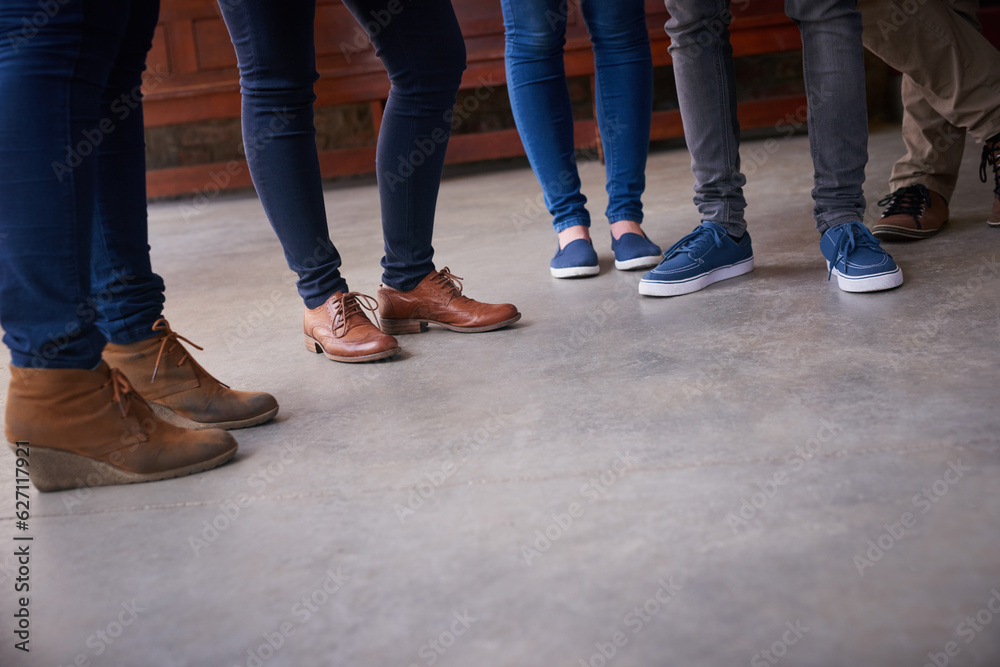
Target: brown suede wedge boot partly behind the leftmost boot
{"x": 179, "y": 390}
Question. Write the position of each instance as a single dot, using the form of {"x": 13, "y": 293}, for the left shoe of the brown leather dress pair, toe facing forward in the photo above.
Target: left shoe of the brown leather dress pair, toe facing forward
{"x": 340, "y": 330}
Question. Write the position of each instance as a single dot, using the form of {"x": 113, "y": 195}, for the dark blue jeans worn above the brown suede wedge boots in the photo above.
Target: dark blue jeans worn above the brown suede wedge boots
{"x": 73, "y": 241}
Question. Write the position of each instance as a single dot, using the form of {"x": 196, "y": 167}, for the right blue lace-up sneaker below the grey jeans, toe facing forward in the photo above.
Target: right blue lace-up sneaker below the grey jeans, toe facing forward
{"x": 857, "y": 259}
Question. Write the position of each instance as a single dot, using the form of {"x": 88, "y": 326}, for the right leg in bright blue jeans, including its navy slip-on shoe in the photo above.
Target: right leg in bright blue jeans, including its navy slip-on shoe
{"x": 624, "y": 101}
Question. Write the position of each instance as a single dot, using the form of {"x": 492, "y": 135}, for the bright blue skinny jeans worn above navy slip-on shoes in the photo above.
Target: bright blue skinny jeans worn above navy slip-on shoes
{"x": 536, "y": 80}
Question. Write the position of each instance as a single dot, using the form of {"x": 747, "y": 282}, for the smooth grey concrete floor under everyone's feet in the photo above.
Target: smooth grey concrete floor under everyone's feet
{"x": 769, "y": 465}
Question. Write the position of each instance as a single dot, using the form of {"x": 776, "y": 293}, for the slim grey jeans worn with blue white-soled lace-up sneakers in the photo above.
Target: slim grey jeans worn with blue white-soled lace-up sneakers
{"x": 833, "y": 66}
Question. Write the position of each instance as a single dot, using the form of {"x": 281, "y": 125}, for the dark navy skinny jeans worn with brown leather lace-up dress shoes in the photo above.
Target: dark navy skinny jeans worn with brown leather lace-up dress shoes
{"x": 421, "y": 46}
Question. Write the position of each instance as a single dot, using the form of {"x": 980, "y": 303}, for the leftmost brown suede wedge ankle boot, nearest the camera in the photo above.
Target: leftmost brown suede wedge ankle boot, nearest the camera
{"x": 82, "y": 428}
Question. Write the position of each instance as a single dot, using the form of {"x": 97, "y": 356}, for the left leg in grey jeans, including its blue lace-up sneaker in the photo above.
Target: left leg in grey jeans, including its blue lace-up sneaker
{"x": 719, "y": 248}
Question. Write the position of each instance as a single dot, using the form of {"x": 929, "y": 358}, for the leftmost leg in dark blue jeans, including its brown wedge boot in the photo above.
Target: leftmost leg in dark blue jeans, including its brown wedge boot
{"x": 79, "y": 422}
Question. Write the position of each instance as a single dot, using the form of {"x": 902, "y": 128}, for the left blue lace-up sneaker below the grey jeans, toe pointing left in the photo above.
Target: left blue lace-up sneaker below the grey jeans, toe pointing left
{"x": 705, "y": 256}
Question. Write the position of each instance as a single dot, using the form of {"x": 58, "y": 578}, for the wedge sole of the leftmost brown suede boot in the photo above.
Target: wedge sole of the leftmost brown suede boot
{"x": 57, "y": 470}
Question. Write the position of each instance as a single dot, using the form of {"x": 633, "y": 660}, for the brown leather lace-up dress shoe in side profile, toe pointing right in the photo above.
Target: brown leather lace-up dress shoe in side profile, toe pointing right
{"x": 438, "y": 300}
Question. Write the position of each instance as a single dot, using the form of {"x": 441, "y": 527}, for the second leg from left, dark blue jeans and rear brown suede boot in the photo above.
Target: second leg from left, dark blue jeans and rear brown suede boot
{"x": 128, "y": 296}
